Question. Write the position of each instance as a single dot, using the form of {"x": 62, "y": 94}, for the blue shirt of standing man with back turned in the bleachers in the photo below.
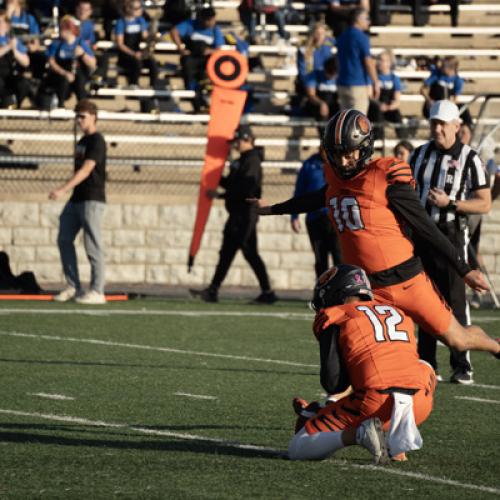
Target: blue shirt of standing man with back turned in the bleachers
{"x": 353, "y": 45}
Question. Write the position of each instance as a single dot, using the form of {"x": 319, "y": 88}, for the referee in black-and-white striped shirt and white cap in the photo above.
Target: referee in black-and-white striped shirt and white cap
{"x": 451, "y": 183}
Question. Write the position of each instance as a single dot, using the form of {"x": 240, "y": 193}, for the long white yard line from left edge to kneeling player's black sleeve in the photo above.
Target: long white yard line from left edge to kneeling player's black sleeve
{"x": 154, "y": 348}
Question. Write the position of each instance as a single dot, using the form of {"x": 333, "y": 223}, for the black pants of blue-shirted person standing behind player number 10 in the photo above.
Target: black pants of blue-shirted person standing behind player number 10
{"x": 324, "y": 242}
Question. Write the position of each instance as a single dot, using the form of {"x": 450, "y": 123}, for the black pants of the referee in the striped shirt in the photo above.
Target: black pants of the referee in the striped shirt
{"x": 452, "y": 288}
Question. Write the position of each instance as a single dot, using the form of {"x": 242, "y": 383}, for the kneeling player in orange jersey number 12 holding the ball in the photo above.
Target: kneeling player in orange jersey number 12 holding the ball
{"x": 371, "y": 346}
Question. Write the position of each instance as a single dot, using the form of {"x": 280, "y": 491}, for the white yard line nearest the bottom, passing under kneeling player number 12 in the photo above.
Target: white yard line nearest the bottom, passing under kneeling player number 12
{"x": 241, "y": 446}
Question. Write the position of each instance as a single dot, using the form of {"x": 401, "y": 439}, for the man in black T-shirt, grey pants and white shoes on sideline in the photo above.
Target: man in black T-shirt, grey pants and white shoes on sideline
{"x": 84, "y": 210}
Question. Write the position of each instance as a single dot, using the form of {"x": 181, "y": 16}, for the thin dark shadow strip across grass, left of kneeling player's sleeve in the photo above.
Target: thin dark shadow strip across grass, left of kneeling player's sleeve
{"x": 109, "y": 364}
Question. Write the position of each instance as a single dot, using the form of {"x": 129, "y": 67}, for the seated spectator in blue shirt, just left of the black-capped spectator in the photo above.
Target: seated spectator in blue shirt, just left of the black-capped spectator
{"x": 130, "y": 31}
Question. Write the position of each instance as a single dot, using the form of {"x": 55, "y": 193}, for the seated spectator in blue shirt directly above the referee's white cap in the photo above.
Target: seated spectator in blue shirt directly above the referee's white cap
{"x": 444, "y": 84}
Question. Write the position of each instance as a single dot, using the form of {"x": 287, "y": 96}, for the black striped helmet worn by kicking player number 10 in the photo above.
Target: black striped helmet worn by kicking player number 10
{"x": 347, "y": 131}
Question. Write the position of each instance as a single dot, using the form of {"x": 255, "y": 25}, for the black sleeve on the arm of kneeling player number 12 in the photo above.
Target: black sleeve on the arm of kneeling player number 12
{"x": 333, "y": 373}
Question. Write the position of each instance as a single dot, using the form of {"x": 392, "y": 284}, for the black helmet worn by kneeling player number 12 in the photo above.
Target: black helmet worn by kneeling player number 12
{"x": 338, "y": 283}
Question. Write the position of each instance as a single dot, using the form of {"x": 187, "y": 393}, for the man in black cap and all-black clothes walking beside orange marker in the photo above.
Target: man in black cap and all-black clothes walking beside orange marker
{"x": 240, "y": 232}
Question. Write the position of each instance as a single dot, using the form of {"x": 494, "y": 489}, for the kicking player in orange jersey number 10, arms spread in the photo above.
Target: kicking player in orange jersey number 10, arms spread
{"x": 372, "y": 205}
